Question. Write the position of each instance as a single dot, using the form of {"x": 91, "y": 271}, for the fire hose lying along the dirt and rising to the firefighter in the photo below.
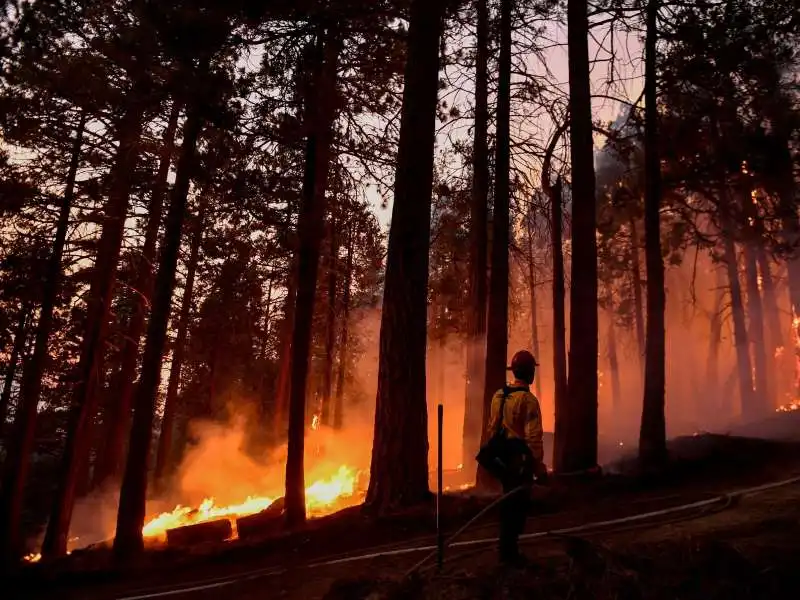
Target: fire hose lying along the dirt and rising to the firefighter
{"x": 208, "y": 584}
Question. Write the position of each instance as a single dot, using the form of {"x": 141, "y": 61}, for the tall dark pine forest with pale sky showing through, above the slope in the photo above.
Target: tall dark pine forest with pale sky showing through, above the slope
{"x": 314, "y": 213}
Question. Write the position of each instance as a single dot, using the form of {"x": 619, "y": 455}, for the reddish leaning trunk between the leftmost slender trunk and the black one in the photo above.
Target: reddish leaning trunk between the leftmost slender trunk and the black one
{"x": 85, "y": 397}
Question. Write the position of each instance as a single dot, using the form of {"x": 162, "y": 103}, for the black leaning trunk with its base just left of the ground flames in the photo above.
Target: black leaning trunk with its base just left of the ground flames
{"x": 131, "y": 514}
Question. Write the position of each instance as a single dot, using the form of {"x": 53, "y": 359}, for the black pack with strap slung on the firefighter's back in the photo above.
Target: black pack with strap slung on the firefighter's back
{"x": 504, "y": 457}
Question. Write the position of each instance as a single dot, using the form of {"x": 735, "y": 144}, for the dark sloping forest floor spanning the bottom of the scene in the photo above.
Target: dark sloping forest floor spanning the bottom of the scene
{"x": 740, "y": 547}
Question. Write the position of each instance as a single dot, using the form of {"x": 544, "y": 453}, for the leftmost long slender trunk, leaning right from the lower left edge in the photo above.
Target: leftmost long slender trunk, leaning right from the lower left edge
{"x": 20, "y": 443}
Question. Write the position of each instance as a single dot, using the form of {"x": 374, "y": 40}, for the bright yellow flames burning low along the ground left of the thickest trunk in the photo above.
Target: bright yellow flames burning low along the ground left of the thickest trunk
{"x": 322, "y": 497}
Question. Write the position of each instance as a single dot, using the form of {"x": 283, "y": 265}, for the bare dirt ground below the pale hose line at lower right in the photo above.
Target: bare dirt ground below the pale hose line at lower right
{"x": 751, "y": 550}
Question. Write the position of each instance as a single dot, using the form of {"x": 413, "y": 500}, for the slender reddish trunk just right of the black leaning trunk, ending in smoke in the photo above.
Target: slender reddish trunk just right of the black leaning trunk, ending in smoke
{"x": 165, "y": 454}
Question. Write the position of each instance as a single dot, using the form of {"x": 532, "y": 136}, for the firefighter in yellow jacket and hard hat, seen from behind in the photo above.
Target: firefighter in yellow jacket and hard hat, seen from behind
{"x": 522, "y": 419}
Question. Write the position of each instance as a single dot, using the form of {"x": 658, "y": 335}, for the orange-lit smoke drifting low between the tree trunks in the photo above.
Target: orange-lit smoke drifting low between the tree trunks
{"x": 220, "y": 465}
